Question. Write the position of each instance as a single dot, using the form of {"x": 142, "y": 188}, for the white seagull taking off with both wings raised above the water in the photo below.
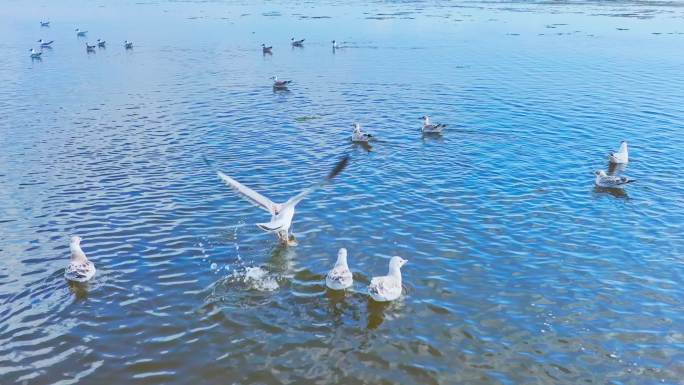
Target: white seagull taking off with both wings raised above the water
{"x": 281, "y": 213}
